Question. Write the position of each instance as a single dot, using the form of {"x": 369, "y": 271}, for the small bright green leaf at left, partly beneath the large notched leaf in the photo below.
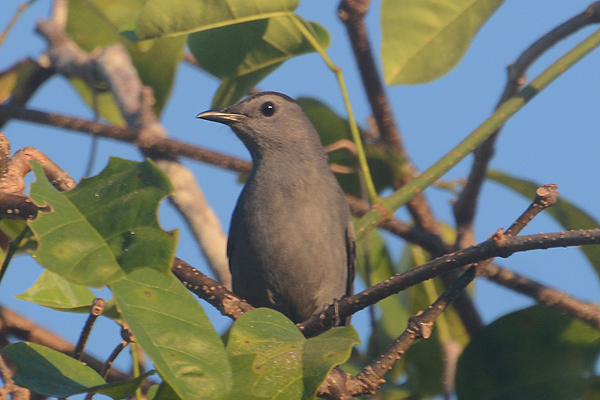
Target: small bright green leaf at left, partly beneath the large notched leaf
{"x": 53, "y": 291}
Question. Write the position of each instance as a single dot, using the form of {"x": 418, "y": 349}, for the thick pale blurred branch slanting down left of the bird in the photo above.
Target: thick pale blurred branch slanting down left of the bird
{"x": 113, "y": 66}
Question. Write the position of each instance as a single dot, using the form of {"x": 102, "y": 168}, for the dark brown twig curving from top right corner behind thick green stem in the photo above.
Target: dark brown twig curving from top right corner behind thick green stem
{"x": 465, "y": 207}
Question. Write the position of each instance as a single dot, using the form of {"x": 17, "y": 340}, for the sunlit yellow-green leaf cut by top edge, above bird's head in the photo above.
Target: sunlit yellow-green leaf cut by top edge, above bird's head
{"x": 161, "y": 18}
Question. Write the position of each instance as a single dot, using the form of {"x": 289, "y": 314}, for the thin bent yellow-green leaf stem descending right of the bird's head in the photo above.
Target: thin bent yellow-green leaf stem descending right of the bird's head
{"x": 362, "y": 158}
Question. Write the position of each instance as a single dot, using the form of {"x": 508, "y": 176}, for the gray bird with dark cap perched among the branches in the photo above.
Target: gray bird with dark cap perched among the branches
{"x": 291, "y": 243}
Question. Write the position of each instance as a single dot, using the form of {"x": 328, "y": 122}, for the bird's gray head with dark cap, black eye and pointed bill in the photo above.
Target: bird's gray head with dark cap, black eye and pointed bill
{"x": 267, "y": 120}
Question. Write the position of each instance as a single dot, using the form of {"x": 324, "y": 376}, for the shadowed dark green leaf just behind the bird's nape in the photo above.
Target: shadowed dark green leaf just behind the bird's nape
{"x": 385, "y": 169}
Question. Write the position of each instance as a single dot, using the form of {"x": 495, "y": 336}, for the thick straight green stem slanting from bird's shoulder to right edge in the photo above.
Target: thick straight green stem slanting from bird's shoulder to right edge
{"x": 387, "y": 206}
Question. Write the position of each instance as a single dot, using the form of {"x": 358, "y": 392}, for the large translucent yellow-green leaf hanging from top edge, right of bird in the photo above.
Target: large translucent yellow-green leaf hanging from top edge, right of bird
{"x": 423, "y": 40}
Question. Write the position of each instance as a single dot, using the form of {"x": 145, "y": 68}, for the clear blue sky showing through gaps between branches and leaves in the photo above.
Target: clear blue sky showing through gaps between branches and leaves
{"x": 554, "y": 139}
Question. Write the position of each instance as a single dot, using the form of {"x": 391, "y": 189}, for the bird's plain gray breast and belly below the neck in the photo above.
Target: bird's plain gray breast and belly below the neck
{"x": 287, "y": 244}
